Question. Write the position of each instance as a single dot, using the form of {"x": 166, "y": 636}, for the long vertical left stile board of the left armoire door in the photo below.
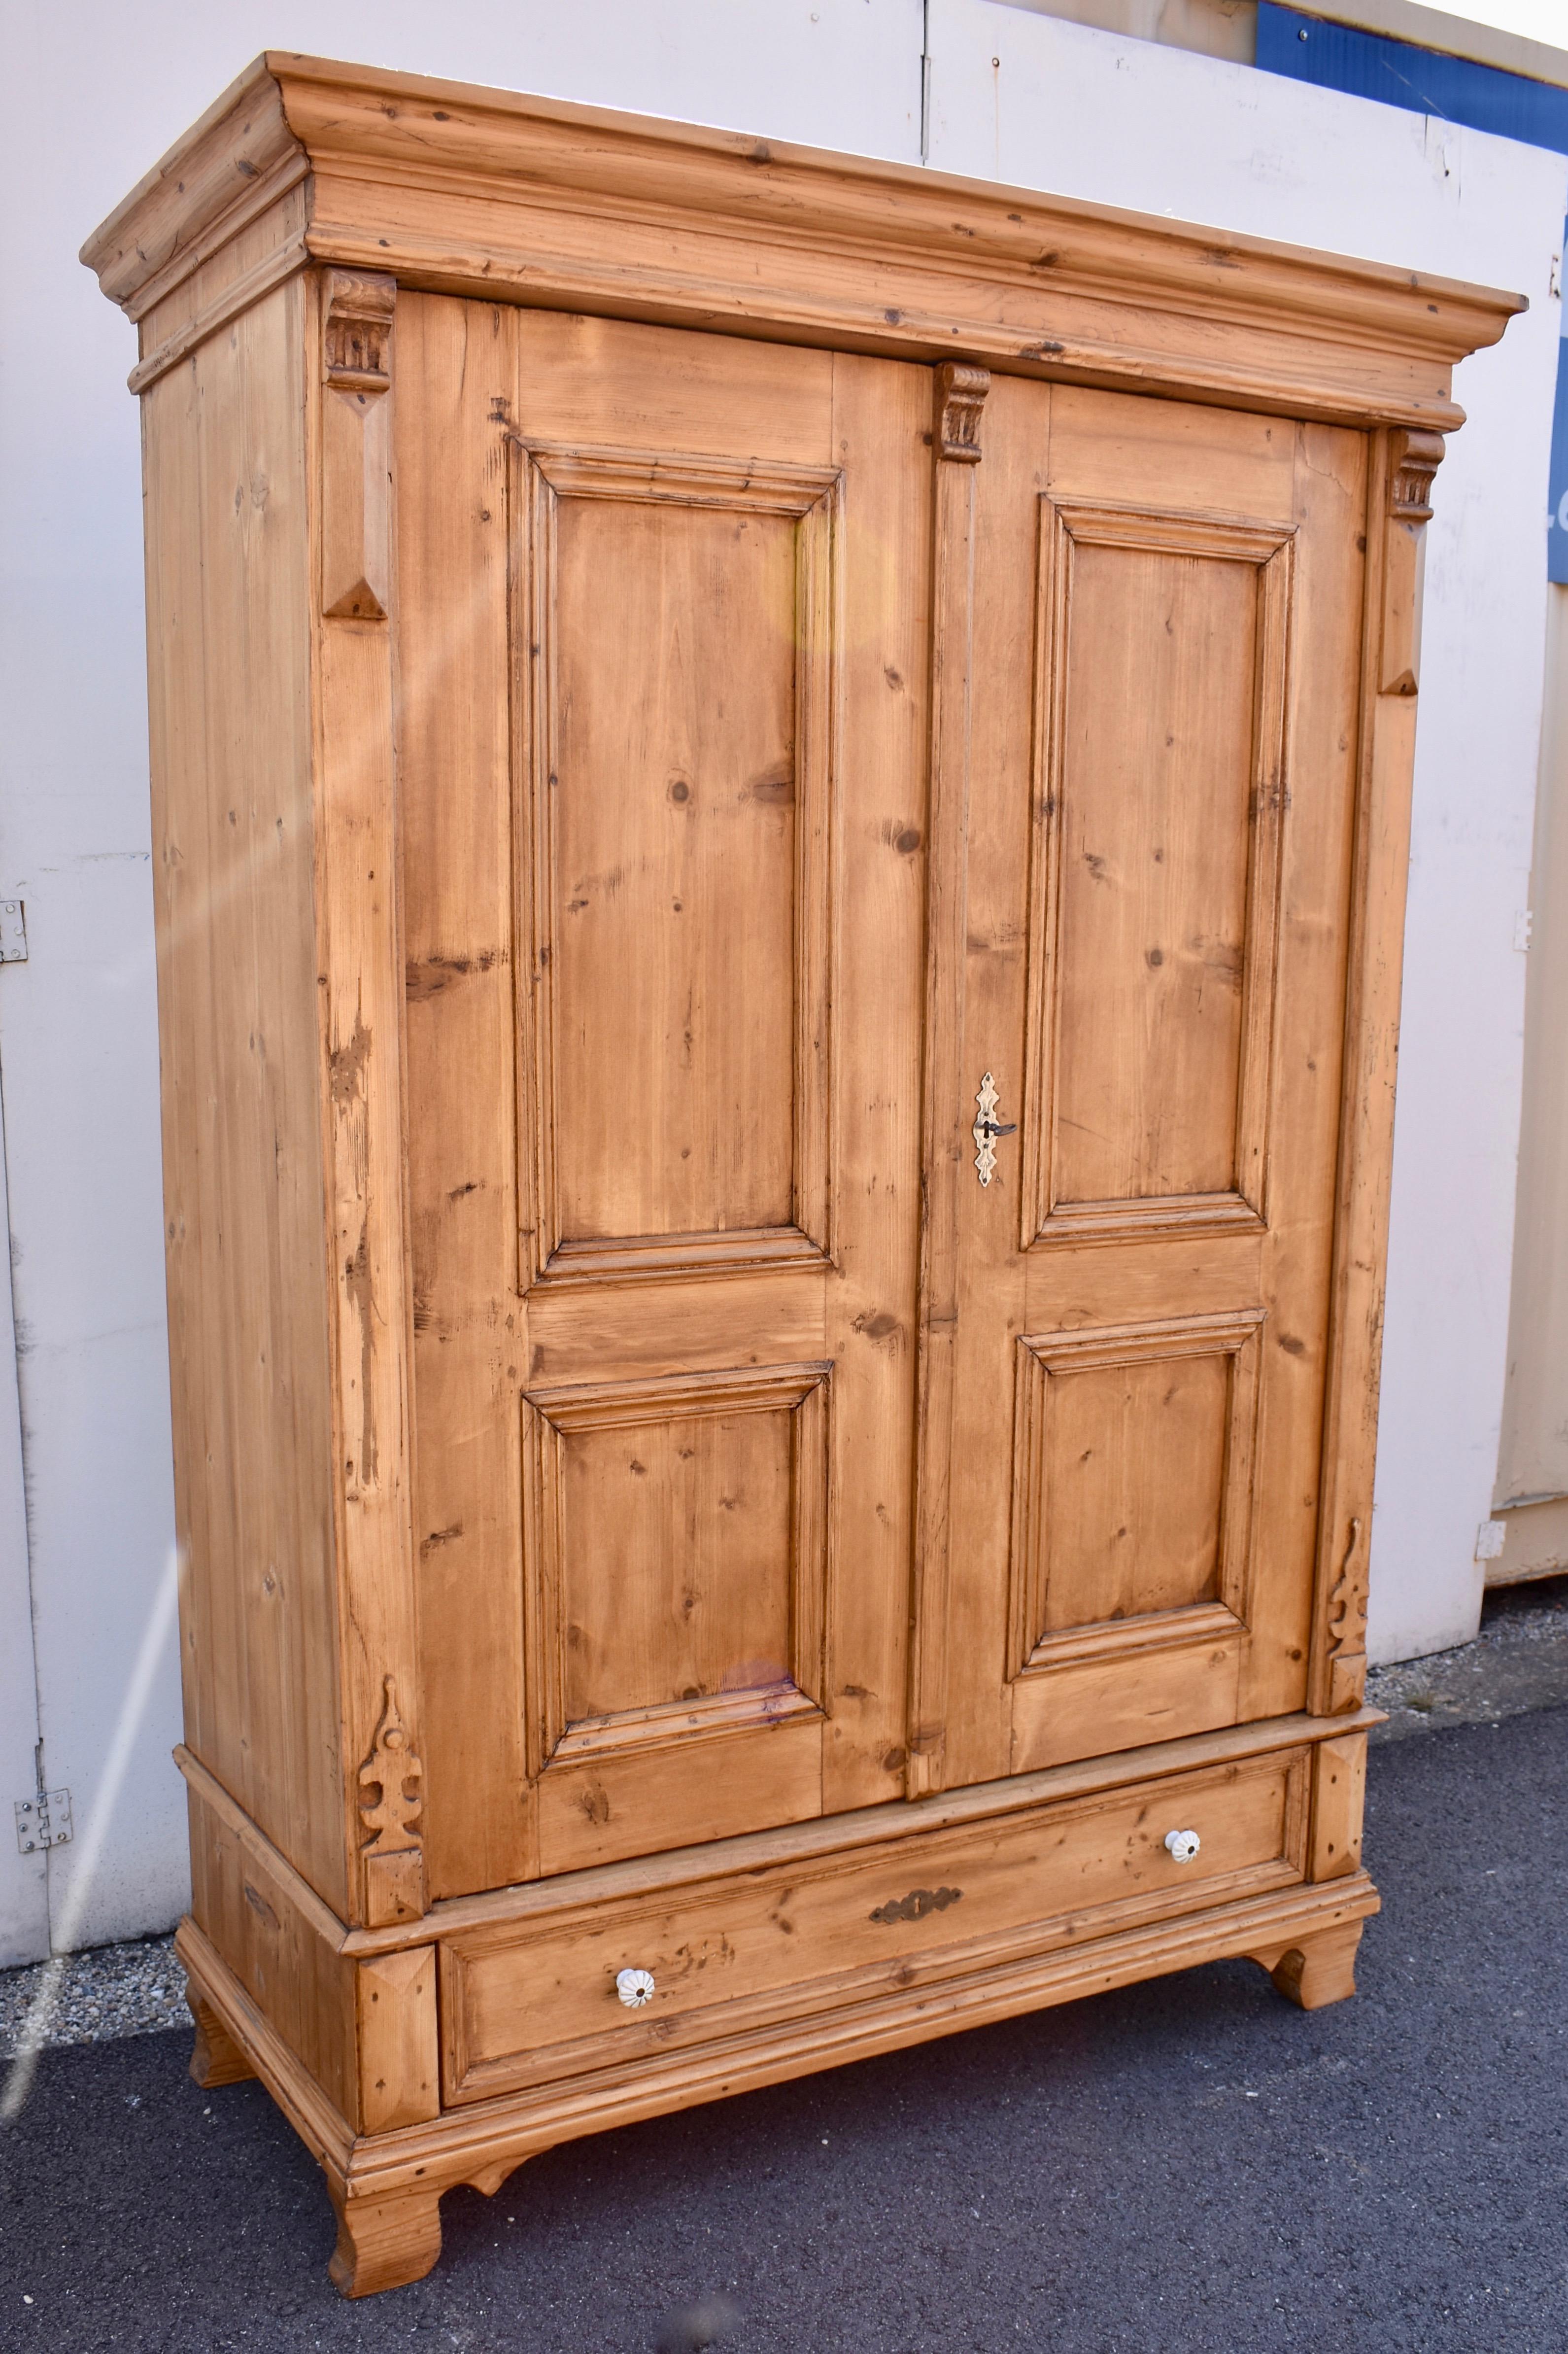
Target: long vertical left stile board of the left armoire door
{"x": 460, "y": 1018}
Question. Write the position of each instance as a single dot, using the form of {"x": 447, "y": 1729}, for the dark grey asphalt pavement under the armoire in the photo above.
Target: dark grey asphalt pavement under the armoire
{"x": 1190, "y": 2167}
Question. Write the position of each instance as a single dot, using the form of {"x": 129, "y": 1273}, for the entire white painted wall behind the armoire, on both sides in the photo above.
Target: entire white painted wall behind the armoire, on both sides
{"x": 105, "y": 91}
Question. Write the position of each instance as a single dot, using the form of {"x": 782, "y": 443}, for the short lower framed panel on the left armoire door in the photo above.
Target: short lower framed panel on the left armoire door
{"x": 679, "y": 1560}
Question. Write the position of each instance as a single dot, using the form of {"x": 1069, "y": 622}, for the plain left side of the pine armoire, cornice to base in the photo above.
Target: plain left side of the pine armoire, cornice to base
{"x": 246, "y": 1202}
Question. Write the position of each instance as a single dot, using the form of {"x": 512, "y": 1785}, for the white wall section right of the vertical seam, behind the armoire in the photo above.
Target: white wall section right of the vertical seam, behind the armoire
{"x": 1091, "y": 114}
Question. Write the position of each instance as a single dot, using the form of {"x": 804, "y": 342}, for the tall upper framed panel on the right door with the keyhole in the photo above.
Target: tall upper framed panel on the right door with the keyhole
{"x": 1162, "y": 743}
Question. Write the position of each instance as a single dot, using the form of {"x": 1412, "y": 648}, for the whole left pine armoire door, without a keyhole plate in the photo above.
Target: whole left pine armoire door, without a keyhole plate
{"x": 663, "y": 736}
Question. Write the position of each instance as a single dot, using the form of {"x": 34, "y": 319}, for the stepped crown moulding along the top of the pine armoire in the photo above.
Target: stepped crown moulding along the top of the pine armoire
{"x": 449, "y": 185}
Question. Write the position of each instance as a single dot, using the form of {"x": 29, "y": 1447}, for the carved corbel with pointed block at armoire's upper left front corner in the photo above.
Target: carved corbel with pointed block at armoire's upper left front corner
{"x": 357, "y": 446}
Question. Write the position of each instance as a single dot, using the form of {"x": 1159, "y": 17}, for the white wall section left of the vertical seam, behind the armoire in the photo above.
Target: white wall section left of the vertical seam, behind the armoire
{"x": 102, "y": 93}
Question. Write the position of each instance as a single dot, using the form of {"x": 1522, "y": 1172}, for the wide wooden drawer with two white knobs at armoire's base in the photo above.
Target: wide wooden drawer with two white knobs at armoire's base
{"x": 538, "y": 2000}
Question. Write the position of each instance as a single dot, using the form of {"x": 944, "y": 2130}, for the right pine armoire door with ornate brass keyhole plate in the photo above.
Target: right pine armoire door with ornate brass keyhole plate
{"x": 1167, "y": 639}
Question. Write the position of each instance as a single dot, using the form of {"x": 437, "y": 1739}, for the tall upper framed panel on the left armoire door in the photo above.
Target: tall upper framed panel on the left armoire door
{"x": 696, "y": 823}
